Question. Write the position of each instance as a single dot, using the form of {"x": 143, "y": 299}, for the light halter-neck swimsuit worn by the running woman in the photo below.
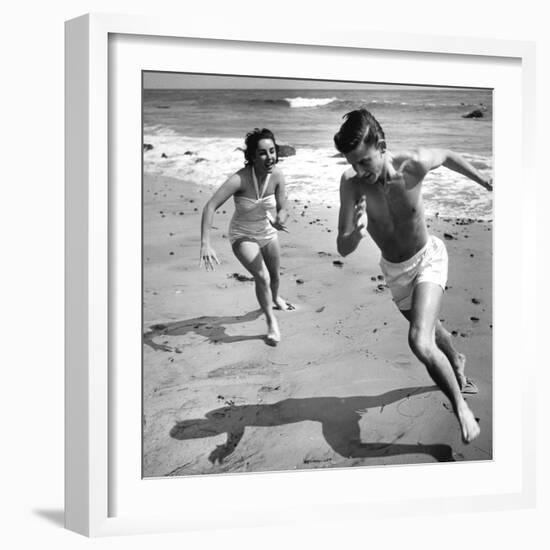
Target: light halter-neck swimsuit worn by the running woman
{"x": 251, "y": 220}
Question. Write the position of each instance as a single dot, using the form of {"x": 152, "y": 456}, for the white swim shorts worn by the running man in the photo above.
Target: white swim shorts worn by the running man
{"x": 430, "y": 264}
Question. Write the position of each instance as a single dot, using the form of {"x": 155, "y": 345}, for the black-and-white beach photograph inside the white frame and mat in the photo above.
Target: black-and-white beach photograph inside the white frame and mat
{"x": 317, "y": 274}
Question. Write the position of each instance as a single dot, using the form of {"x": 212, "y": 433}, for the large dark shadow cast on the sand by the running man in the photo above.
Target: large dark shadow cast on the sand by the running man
{"x": 339, "y": 418}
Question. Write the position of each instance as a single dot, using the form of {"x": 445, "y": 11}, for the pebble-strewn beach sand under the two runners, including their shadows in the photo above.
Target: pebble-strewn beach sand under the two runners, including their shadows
{"x": 342, "y": 388}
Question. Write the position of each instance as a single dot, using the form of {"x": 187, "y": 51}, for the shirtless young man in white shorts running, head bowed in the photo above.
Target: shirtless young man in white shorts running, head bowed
{"x": 380, "y": 195}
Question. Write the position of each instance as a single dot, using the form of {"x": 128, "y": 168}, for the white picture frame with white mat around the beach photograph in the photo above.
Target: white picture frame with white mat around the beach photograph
{"x": 93, "y": 393}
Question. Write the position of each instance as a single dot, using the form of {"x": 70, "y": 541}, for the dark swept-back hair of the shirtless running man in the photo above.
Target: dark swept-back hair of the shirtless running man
{"x": 359, "y": 126}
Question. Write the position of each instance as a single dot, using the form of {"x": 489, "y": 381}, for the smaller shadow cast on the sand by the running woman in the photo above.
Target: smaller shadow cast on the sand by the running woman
{"x": 211, "y": 327}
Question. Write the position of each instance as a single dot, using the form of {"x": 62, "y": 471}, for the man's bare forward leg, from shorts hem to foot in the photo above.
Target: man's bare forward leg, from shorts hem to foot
{"x": 424, "y": 313}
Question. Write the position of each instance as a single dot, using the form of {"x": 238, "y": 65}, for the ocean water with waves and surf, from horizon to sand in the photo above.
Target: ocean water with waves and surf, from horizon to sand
{"x": 197, "y": 135}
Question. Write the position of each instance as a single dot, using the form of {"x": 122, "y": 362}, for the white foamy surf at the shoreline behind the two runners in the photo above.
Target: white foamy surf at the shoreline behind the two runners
{"x": 312, "y": 175}
